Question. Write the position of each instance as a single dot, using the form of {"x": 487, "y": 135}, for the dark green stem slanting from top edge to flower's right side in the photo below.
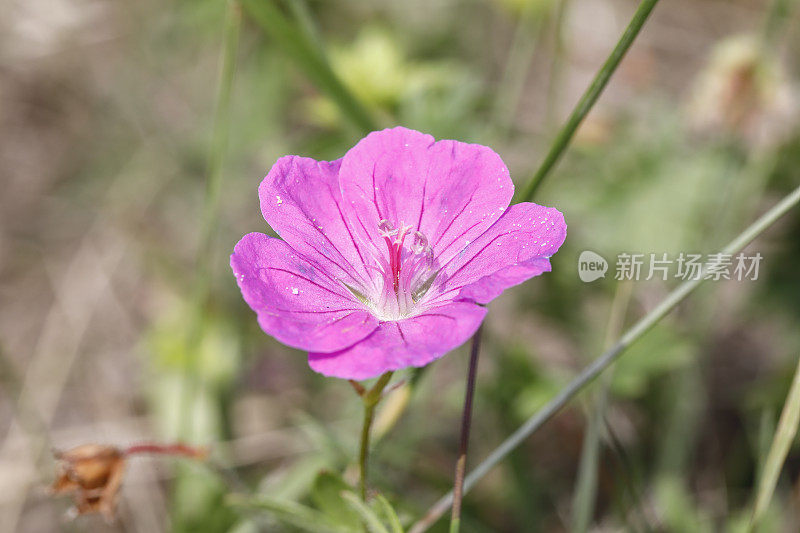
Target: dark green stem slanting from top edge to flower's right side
{"x": 588, "y": 99}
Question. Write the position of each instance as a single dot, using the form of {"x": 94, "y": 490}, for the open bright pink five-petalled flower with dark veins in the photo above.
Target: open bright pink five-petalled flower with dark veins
{"x": 388, "y": 254}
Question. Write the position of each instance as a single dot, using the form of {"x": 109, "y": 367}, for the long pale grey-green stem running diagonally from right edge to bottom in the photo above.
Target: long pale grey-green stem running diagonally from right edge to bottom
{"x": 589, "y": 373}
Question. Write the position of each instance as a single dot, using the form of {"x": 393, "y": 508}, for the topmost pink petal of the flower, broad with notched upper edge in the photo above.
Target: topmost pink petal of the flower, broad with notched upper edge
{"x": 449, "y": 191}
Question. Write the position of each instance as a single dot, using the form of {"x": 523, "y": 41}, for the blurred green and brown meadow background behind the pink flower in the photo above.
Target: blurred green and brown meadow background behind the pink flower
{"x": 106, "y": 120}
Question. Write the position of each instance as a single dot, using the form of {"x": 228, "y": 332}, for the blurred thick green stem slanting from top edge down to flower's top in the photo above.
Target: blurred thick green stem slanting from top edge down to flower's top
{"x": 306, "y": 54}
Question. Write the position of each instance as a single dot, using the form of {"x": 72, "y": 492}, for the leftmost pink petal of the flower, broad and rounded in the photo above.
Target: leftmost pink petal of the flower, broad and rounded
{"x": 296, "y": 302}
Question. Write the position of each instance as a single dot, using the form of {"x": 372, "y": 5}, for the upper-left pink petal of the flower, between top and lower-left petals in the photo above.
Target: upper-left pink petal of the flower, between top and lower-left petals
{"x": 301, "y": 200}
